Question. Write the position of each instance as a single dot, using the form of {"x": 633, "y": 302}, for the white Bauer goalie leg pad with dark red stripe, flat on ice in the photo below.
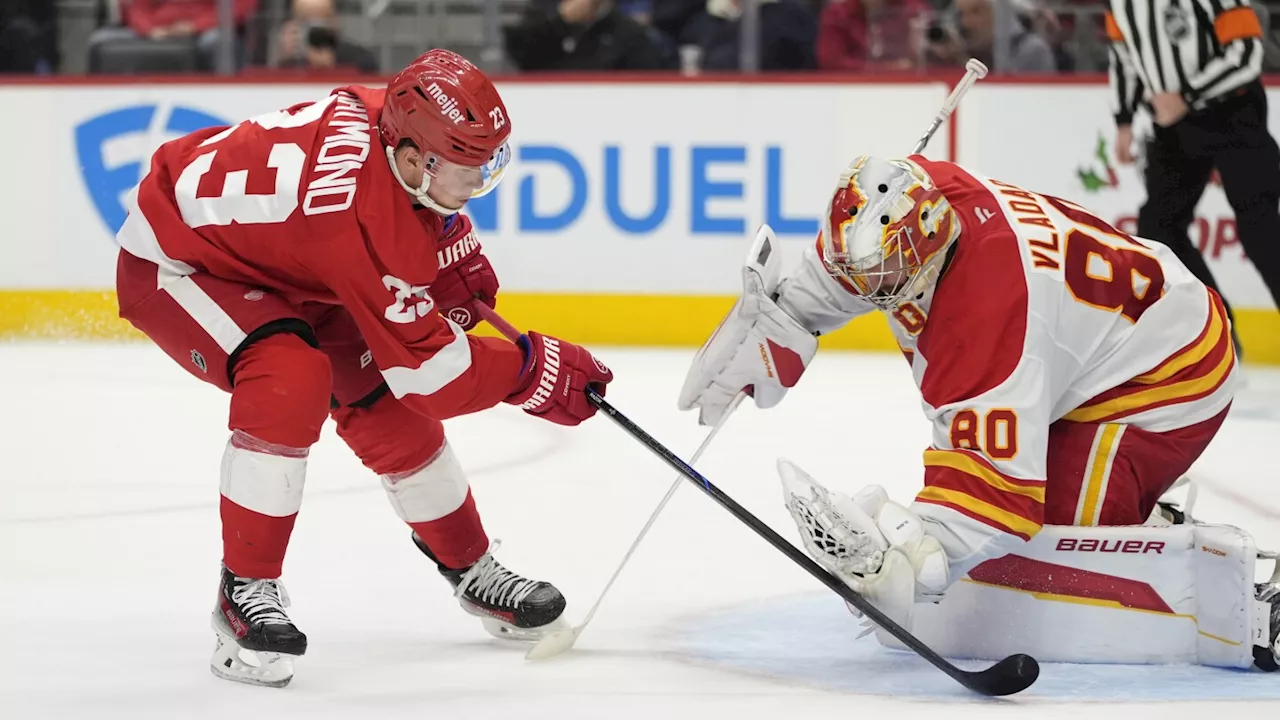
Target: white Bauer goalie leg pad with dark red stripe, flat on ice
{"x": 1122, "y": 595}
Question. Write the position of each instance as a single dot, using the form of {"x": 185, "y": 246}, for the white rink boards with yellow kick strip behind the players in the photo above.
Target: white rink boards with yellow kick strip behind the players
{"x": 630, "y": 204}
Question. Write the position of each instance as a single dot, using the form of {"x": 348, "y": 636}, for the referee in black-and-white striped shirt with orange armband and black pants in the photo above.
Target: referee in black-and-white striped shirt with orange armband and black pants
{"x": 1196, "y": 65}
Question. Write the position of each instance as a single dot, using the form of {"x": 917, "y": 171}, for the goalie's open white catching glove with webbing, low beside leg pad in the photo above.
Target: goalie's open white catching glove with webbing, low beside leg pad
{"x": 875, "y": 546}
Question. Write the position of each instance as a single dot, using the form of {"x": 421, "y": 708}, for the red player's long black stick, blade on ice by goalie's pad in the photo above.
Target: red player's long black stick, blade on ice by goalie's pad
{"x": 1008, "y": 677}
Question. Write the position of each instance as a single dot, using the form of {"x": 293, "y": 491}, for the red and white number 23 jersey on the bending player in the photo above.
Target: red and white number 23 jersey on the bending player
{"x": 304, "y": 203}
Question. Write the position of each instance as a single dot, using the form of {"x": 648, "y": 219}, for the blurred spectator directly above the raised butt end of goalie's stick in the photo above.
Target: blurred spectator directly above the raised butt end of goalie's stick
{"x": 1027, "y": 52}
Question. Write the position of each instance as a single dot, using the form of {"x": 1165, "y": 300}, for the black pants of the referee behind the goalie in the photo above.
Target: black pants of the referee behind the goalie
{"x": 1233, "y": 138}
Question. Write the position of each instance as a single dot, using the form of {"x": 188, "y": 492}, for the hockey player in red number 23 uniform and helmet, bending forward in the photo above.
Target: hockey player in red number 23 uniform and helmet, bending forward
{"x": 314, "y": 263}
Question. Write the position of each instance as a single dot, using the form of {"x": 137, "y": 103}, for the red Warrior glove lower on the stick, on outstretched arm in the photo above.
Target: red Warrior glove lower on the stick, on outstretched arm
{"x": 555, "y": 381}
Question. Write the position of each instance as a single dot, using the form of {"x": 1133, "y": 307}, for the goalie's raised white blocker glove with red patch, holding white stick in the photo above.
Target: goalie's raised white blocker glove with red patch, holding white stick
{"x": 758, "y": 348}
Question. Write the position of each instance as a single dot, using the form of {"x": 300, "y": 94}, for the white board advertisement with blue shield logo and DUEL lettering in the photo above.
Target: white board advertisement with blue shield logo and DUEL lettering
{"x": 643, "y": 189}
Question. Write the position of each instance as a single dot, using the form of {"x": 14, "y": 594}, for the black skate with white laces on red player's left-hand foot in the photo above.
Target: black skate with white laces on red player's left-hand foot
{"x": 257, "y": 640}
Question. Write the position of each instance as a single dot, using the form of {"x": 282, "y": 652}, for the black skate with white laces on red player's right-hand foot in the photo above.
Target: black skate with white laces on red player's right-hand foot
{"x": 509, "y": 605}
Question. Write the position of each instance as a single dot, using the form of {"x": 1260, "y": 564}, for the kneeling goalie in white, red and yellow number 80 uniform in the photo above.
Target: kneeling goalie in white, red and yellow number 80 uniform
{"x": 1072, "y": 375}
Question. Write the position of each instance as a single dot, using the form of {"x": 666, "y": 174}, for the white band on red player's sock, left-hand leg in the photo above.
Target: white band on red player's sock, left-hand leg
{"x": 262, "y": 477}
